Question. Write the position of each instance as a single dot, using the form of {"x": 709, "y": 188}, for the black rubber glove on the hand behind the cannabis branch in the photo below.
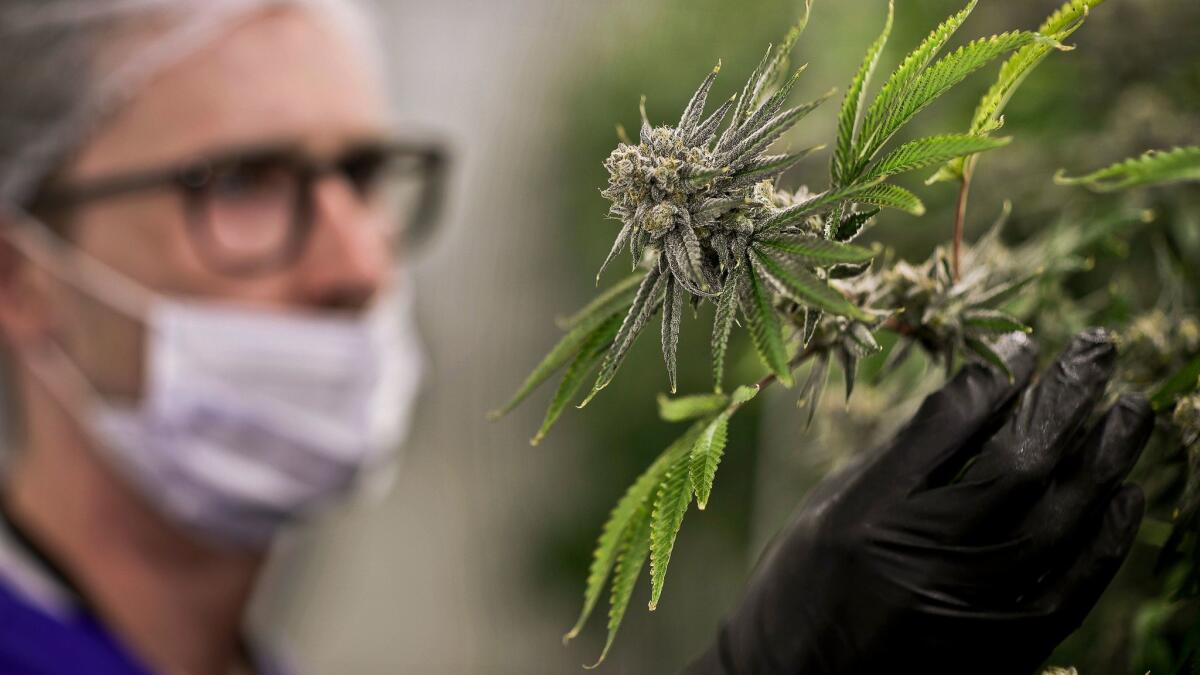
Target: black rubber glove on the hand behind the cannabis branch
{"x": 974, "y": 542}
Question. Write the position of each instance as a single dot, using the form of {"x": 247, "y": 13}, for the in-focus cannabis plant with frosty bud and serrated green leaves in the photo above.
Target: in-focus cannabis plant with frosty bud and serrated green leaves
{"x": 707, "y": 219}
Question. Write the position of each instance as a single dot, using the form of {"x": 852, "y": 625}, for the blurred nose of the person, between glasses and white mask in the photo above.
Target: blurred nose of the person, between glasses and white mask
{"x": 347, "y": 260}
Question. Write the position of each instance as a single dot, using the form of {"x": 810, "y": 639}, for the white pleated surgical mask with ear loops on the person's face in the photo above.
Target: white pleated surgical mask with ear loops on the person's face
{"x": 250, "y": 420}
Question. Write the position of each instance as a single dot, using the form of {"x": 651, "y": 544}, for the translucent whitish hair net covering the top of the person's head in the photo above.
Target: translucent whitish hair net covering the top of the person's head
{"x": 68, "y": 64}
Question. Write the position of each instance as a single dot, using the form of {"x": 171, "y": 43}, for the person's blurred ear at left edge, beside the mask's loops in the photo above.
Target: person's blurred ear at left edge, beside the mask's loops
{"x": 26, "y": 298}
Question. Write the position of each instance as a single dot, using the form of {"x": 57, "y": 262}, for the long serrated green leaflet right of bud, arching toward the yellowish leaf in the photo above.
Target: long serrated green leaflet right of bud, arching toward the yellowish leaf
{"x": 939, "y": 79}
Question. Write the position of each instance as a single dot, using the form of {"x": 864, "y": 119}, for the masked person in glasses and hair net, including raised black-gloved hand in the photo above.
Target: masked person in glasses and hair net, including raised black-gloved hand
{"x": 203, "y": 303}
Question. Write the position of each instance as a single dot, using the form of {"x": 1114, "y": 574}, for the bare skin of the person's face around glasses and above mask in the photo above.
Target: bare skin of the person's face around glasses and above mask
{"x": 286, "y": 77}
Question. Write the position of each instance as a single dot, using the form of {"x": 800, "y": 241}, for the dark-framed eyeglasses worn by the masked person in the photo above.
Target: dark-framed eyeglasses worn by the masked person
{"x": 251, "y": 212}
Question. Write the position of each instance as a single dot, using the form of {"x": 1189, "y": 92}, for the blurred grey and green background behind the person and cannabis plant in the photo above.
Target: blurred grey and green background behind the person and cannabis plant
{"x": 476, "y": 560}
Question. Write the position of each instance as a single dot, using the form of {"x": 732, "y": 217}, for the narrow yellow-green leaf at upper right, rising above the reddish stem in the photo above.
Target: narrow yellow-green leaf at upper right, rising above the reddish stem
{"x": 1016, "y": 69}
